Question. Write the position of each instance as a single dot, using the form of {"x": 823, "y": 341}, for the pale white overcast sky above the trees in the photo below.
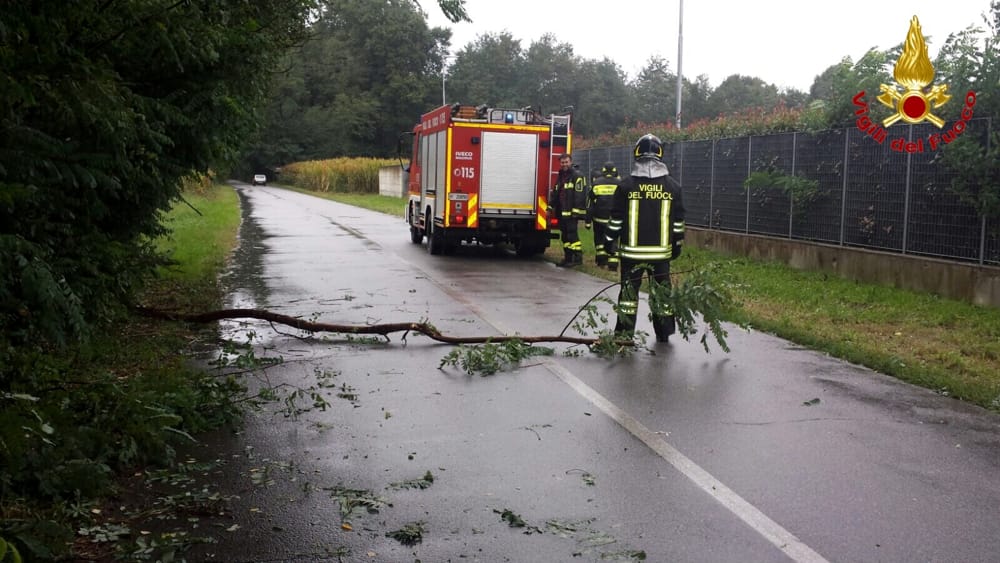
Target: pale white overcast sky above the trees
{"x": 783, "y": 42}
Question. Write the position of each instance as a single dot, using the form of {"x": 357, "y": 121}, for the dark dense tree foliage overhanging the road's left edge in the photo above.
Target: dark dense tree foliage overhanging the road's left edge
{"x": 105, "y": 108}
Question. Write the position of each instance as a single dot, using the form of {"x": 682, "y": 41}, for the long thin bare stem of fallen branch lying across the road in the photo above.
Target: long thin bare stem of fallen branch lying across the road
{"x": 382, "y": 329}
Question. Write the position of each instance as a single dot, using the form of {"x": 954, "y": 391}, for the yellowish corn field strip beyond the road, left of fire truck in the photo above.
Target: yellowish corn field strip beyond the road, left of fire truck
{"x": 350, "y": 175}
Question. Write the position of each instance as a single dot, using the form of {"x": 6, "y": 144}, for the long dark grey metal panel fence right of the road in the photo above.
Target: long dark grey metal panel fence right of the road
{"x": 869, "y": 195}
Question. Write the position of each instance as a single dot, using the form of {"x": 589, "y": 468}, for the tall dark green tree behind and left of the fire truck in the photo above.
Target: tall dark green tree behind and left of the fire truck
{"x": 368, "y": 69}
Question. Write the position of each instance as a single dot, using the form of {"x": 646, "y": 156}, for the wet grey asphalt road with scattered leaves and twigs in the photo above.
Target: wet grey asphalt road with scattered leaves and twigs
{"x": 769, "y": 453}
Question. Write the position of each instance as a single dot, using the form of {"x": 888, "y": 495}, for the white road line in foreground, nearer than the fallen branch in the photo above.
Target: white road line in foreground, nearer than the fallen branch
{"x": 771, "y": 530}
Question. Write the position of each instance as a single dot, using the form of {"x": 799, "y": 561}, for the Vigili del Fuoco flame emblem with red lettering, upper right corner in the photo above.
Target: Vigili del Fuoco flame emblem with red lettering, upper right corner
{"x": 915, "y": 101}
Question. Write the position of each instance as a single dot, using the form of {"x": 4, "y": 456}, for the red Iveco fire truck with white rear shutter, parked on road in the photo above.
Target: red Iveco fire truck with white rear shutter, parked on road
{"x": 482, "y": 175}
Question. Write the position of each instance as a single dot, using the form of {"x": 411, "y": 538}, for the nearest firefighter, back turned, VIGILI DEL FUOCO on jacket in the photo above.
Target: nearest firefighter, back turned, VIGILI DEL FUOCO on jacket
{"x": 647, "y": 219}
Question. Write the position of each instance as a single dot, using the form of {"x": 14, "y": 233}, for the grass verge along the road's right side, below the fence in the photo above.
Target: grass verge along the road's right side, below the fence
{"x": 949, "y": 346}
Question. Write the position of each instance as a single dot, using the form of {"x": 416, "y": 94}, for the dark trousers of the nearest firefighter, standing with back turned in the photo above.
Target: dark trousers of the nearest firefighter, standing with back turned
{"x": 628, "y": 297}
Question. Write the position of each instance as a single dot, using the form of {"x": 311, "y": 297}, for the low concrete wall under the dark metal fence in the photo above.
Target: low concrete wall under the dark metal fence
{"x": 966, "y": 282}
